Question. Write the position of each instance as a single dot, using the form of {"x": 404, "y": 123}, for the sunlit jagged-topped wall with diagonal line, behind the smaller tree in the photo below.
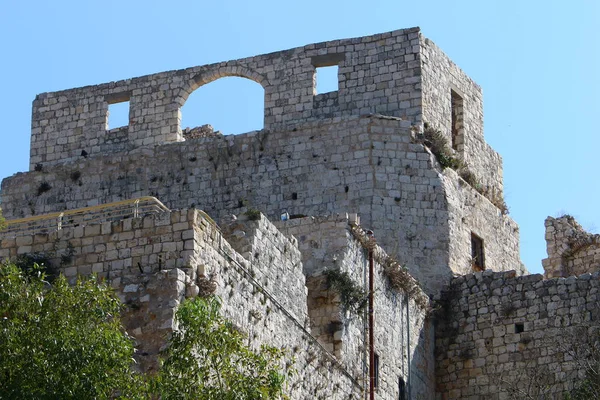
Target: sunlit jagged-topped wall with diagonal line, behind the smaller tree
{"x": 257, "y": 286}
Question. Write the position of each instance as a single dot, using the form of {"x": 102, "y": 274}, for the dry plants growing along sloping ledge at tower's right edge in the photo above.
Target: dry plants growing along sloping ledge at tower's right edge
{"x": 436, "y": 141}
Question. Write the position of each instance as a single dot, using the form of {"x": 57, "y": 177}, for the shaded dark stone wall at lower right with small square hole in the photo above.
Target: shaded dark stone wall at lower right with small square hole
{"x": 499, "y": 336}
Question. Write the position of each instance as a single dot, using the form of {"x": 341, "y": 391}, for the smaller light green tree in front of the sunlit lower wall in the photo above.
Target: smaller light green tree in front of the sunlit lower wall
{"x": 207, "y": 359}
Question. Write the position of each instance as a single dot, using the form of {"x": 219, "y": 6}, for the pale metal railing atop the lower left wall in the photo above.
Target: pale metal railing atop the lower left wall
{"x": 133, "y": 208}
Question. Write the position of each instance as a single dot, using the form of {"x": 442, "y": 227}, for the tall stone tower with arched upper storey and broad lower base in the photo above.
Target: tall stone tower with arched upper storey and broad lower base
{"x": 352, "y": 150}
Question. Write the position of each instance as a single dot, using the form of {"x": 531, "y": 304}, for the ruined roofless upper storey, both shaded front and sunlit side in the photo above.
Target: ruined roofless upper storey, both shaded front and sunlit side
{"x": 400, "y": 74}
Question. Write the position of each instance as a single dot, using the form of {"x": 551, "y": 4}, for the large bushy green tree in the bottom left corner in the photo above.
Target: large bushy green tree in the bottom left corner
{"x": 62, "y": 341}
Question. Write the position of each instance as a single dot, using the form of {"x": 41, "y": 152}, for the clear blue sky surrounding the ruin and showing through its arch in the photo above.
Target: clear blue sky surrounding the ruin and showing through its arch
{"x": 538, "y": 63}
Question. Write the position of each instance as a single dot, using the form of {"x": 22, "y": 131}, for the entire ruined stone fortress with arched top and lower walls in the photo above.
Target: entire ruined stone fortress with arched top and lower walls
{"x": 456, "y": 314}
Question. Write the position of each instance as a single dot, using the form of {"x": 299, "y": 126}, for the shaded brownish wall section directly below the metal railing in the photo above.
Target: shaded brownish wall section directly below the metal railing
{"x": 139, "y": 257}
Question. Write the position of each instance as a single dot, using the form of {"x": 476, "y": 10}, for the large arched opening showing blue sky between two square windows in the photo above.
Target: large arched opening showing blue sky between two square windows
{"x": 229, "y": 105}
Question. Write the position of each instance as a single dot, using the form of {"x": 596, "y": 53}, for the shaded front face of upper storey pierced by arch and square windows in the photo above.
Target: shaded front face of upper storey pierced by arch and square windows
{"x": 377, "y": 74}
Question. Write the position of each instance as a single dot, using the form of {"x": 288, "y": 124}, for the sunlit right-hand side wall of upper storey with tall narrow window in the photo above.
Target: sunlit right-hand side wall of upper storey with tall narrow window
{"x": 440, "y": 76}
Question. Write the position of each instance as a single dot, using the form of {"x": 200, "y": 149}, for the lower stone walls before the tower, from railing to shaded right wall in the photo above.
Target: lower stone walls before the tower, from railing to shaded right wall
{"x": 156, "y": 261}
